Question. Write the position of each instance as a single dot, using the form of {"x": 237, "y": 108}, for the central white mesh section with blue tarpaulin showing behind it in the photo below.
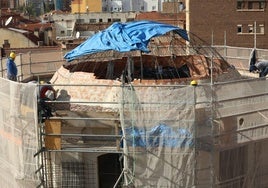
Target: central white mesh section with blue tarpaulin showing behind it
{"x": 158, "y": 123}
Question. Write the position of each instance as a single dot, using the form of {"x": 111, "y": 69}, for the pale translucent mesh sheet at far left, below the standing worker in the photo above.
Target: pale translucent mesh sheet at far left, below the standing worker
{"x": 18, "y": 134}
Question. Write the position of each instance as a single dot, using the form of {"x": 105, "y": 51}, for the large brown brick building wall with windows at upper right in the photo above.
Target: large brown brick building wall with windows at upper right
{"x": 221, "y": 22}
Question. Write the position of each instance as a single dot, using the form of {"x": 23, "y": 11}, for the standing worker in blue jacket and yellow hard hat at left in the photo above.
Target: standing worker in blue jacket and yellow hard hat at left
{"x": 12, "y": 70}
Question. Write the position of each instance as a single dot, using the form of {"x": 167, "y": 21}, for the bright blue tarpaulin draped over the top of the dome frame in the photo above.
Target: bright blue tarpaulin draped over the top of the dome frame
{"x": 124, "y": 37}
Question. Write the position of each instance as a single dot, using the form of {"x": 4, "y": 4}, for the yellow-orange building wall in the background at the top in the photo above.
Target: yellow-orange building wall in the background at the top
{"x": 85, "y": 6}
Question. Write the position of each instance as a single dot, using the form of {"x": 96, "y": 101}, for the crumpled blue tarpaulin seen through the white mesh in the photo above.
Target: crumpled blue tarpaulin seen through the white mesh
{"x": 159, "y": 136}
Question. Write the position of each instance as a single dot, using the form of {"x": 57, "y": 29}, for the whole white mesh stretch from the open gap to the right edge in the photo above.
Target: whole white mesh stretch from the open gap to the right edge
{"x": 205, "y": 136}
